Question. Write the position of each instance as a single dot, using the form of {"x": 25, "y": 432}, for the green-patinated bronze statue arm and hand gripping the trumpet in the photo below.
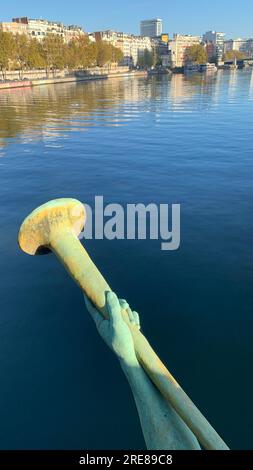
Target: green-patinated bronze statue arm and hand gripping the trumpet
{"x": 162, "y": 427}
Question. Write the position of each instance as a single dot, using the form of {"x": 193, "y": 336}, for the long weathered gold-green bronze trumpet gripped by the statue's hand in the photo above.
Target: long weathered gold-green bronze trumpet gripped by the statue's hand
{"x": 56, "y": 226}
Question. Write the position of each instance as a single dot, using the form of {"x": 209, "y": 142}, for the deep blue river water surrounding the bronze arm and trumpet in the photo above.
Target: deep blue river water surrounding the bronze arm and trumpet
{"x": 184, "y": 140}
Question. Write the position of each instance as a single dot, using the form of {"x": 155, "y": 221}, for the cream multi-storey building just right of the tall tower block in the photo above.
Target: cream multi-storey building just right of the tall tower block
{"x": 178, "y": 48}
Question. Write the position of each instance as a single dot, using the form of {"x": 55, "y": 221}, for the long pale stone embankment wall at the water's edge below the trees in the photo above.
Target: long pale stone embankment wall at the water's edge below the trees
{"x": 53, "y": 81}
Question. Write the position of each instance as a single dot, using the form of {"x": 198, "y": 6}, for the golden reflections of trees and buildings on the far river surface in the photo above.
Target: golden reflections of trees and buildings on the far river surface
{"x": 48, "y": 113}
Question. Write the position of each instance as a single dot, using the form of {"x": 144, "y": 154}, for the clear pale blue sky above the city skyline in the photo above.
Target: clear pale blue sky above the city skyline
{"x": 183, "y": 16}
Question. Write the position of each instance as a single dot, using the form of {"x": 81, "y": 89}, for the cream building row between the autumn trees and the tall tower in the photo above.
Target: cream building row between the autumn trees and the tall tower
{"x": 132, "y": 47}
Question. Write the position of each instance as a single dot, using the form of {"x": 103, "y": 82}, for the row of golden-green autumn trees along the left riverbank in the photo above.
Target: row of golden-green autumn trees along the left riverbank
{"x": 20, "y": 52}
